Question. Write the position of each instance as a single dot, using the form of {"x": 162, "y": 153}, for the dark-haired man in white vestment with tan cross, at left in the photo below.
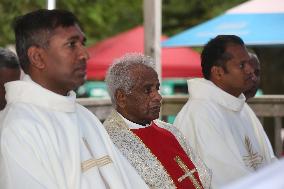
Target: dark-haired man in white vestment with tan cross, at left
{"x": 48, "y": 141}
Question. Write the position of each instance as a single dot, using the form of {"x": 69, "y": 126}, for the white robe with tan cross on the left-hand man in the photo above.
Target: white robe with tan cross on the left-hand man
{"x": 48, "y": 141}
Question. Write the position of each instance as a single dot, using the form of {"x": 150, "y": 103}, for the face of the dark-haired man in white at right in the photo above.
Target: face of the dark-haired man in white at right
{"x": 239, "y": 76}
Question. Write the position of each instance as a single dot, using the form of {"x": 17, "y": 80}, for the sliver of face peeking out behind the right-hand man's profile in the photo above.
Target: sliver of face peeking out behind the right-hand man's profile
{"x": 256, "y": 67}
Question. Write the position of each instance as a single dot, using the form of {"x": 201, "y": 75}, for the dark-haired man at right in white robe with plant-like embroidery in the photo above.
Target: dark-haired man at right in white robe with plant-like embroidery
{"x": 216, "y": 120}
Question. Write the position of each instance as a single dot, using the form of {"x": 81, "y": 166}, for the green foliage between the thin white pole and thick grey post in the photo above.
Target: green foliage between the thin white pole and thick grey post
{"x": 103, "y": 18}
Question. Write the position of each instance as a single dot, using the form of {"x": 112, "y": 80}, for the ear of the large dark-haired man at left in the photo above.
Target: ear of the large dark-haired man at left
{"x": 35, "y": 55}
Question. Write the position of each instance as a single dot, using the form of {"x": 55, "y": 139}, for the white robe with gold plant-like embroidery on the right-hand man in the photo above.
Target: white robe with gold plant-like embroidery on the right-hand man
{"x": 224, "y": 132}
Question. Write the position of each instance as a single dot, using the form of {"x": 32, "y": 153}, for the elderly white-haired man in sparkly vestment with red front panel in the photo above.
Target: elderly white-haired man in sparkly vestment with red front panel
{"x": 156, "y": 149}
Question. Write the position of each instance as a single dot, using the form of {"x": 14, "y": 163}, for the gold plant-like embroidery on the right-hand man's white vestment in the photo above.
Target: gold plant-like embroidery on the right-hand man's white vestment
{"x": 253, "y": 159}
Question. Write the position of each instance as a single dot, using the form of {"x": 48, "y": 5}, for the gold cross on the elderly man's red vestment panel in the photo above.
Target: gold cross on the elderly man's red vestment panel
{"x": 187, "y": 173}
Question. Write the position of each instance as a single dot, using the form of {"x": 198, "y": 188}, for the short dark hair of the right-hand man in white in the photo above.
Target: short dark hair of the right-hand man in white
{"x": 214, "y": 53}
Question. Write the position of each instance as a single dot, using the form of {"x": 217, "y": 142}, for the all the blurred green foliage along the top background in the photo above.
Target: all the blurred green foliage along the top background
{"x": 103, "y": 18}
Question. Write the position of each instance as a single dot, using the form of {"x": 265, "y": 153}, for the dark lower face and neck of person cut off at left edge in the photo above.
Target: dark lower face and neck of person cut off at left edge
{"x": 7, "y": 75}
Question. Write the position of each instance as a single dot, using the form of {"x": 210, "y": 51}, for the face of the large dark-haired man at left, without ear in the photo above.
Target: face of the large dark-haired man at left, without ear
{"x": 65, "y": 60}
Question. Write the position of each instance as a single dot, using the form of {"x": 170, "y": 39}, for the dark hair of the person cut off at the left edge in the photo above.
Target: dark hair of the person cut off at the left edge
{"x": 8, "y": 59}
